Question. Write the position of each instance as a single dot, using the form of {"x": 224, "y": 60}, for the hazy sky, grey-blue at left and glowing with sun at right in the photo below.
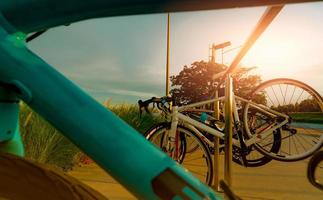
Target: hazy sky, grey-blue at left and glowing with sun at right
{"x": 124, "y": 58}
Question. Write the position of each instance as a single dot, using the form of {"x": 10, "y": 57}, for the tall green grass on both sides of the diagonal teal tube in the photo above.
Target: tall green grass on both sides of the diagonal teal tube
{"x": 44, "y": 144}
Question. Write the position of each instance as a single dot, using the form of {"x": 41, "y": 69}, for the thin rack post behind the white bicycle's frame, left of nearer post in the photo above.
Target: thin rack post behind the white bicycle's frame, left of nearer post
{"x": 216, "y": 160}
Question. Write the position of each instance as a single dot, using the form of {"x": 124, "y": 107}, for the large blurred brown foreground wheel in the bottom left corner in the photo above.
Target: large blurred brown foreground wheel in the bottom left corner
{"x": 22, "y": 180}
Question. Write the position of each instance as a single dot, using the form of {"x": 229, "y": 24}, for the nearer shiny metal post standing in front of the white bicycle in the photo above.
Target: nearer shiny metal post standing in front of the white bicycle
{"x": 228, "y": 131}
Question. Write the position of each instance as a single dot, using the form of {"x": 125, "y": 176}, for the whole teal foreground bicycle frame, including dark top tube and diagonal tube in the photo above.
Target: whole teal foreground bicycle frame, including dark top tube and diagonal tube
{"x": 112, "y": 143}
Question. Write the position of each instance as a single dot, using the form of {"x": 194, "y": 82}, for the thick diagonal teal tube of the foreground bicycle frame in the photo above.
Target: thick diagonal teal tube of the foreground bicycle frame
{"x": 112, "y": 143}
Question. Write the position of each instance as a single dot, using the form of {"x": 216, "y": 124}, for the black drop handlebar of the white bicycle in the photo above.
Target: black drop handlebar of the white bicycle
{"x": 160, "y": 102}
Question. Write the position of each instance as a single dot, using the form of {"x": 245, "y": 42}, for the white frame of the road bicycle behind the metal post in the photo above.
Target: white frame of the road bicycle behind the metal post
{"x": 194, "y": 124}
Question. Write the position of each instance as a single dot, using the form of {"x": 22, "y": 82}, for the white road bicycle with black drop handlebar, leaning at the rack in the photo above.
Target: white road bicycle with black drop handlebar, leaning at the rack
{"x": 273, "y": 130}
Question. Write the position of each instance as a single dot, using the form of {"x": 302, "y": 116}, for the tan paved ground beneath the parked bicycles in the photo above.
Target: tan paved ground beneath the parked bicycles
{"x": 275, "y": 181}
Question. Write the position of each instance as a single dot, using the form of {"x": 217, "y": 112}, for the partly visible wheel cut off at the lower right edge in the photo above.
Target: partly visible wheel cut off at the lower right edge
{"x": 315, "y": 170}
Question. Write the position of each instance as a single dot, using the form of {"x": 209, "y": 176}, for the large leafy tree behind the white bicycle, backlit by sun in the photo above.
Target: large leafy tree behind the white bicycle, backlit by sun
{"x": 195, "y": 83}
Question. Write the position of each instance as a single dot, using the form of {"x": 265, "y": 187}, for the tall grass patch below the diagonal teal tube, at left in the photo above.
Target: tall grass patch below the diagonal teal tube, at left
{"x": 43, "y": 143}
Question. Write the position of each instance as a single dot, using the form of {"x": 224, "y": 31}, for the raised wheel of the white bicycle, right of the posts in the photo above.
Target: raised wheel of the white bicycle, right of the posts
{"x": 302, "y": 135}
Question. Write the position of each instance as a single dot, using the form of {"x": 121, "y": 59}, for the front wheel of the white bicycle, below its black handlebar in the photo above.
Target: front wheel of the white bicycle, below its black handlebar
{"x": 198, "y": 162}
